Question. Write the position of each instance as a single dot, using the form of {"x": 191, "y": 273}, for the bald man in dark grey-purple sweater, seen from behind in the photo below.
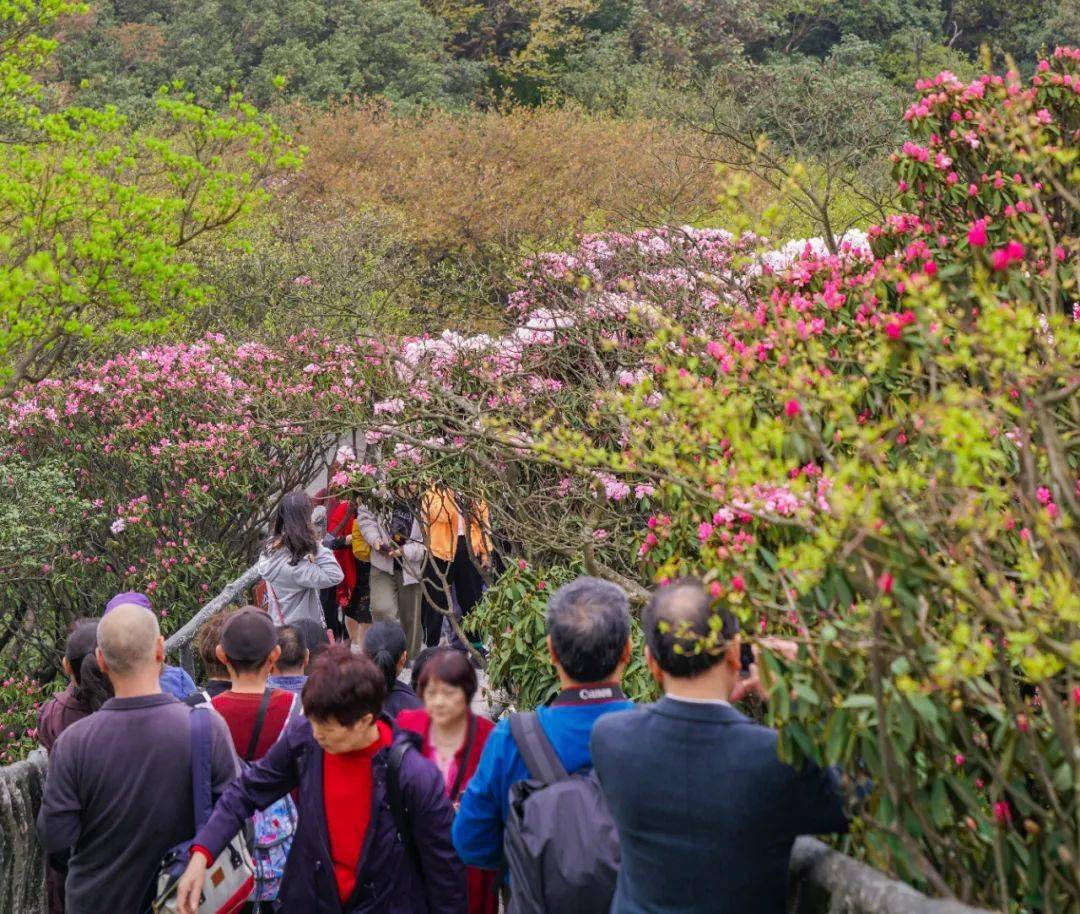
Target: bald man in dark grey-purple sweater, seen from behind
{"x": 119, "y": 789}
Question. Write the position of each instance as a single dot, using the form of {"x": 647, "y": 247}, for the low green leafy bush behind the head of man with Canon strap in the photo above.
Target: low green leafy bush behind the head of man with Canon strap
{"x": 514, "y": 613}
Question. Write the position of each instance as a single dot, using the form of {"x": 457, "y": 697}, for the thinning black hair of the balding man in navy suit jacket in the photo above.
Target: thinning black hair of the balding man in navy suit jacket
{"x": 684, "y": 631}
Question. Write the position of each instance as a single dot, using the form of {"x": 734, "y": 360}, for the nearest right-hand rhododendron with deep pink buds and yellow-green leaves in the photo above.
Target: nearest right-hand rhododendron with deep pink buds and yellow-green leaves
{"x": 881, "y": 460}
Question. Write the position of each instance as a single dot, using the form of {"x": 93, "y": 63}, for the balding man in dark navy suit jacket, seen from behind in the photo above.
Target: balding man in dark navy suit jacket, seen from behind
{"x": 706, "y": 811}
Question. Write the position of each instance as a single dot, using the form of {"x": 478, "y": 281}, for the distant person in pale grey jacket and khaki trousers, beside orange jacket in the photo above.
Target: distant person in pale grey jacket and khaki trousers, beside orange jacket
{"x": 397, "y": 574}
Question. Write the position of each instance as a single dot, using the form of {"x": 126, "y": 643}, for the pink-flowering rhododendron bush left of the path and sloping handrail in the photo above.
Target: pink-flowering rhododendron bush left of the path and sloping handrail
{"x": 155, "y": 472}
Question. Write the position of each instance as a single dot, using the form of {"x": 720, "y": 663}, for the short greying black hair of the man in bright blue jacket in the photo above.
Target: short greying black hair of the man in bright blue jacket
{"x": 589, "y": 624}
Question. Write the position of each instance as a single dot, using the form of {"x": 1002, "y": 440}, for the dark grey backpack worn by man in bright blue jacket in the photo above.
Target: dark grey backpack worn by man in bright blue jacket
{"x": 561, "y": 844}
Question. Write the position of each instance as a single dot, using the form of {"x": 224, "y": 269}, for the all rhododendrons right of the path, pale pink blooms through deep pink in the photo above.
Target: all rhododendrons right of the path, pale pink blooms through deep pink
{"x": 874, "y": 453}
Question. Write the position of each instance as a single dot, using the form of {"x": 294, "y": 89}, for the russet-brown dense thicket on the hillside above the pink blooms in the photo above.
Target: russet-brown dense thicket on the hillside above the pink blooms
{"x": 506, "y": 182}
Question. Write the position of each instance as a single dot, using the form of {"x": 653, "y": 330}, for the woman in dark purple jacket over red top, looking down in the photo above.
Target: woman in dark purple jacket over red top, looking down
{"x": 346, "y": 856}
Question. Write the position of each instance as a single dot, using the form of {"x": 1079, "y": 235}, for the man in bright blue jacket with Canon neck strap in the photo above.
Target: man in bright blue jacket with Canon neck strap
{"x": 589, "y": 641}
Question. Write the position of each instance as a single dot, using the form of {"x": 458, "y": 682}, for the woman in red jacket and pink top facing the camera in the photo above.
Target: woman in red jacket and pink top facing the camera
{"x": 454, "y": 740}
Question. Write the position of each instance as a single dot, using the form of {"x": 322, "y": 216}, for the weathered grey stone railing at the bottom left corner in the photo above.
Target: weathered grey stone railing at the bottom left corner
{"x": 22, "y": 865}
